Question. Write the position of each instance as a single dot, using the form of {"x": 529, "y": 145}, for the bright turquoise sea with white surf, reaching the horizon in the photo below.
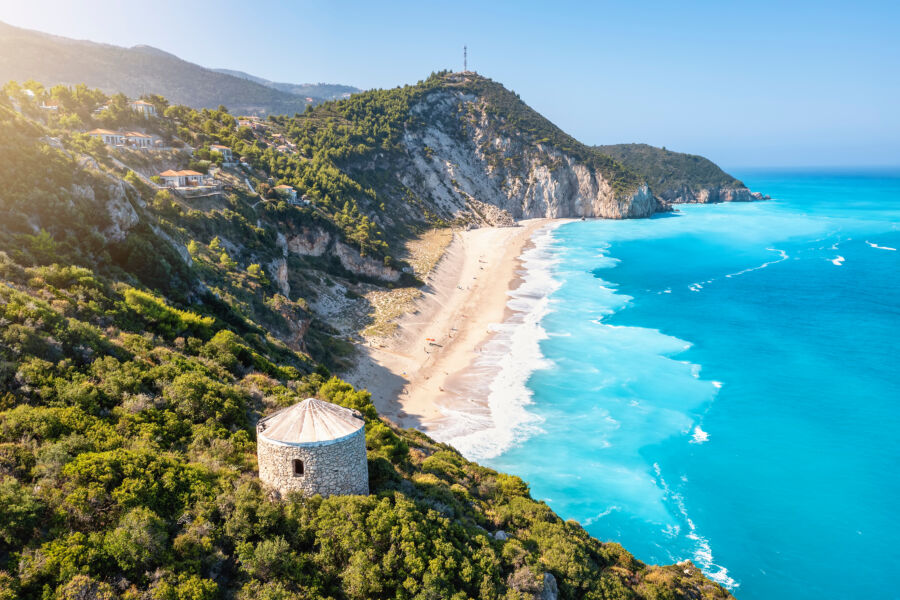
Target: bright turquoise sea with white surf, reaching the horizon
{"x": 719, "y": 384}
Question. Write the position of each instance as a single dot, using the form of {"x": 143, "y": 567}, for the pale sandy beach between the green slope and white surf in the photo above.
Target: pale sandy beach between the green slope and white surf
{"x": 411, "y": 374}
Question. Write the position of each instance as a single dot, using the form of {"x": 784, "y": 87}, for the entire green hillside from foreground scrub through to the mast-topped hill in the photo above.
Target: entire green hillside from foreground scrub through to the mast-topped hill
{"x": 144, "y": 332}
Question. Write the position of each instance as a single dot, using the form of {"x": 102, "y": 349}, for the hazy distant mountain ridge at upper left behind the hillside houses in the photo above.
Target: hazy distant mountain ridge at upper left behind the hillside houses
{"x": 50, "y": 59}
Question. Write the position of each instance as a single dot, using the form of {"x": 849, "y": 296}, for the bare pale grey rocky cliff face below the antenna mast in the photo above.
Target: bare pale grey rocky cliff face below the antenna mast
{"x": 461, "y": 158}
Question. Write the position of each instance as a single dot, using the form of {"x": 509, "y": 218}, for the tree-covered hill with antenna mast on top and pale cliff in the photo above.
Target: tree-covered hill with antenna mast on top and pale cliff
{"x": 452, "y": 148}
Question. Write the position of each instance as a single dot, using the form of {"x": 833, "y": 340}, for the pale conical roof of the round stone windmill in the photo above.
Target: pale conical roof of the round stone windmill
{"x": 309, "y": 422}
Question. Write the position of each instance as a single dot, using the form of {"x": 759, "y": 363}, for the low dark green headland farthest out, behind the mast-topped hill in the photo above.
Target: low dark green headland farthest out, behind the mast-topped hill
{"x": 676, "y": 177}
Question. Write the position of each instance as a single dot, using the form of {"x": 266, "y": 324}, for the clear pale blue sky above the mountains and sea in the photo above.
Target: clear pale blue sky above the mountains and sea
{"x": 762, "y": 83}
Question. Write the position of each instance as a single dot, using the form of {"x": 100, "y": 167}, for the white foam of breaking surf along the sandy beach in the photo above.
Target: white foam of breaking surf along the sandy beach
{"x": 510, "y": 357}
